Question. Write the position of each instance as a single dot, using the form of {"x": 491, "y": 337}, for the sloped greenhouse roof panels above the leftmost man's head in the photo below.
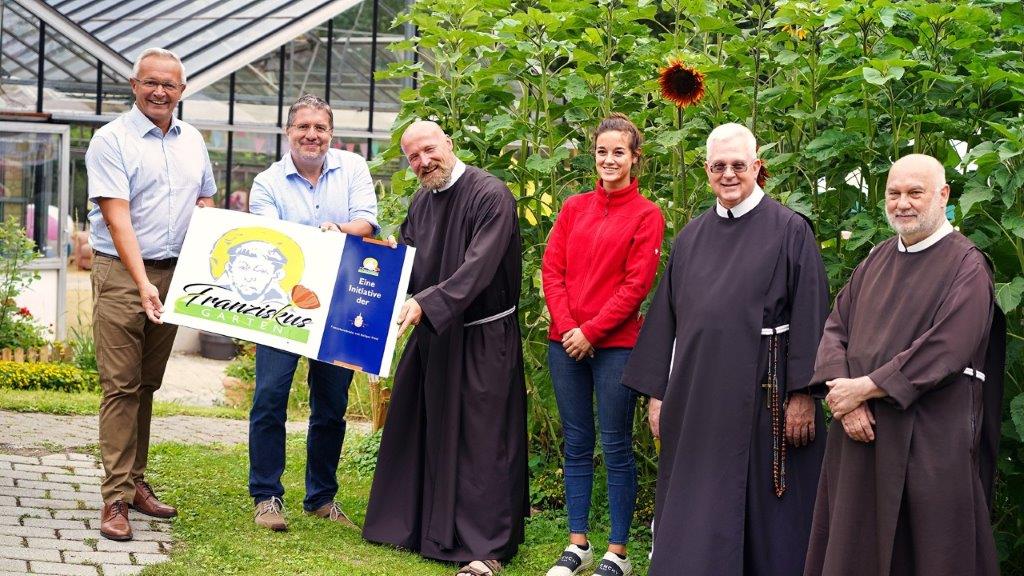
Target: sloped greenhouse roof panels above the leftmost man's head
{"x": 214, "y": 38}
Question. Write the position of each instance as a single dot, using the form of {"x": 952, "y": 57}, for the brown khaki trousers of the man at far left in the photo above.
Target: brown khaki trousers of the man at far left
{"x": 132, "y": 356}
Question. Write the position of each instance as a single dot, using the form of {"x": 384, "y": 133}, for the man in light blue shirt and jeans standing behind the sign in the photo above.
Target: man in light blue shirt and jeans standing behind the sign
{"x": 313, "y": 185}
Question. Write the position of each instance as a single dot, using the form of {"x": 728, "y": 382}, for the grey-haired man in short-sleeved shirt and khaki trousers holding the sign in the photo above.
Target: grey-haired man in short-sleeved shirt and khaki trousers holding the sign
{"x": 148, "y": 172}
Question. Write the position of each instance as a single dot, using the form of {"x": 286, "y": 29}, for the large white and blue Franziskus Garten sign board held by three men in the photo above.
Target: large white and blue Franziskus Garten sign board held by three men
{"x": 329, "y": 297}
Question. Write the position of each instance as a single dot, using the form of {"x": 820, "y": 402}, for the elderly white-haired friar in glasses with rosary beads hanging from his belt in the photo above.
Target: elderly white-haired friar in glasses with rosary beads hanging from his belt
{"x": 727, "y": 357}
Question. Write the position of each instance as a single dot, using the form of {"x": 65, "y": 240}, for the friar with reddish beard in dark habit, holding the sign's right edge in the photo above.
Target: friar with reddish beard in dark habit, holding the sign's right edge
{"x": 451, "y": 480}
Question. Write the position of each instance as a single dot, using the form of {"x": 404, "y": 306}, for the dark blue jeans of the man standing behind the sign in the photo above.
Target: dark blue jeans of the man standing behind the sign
{"x": 328, "y": 401}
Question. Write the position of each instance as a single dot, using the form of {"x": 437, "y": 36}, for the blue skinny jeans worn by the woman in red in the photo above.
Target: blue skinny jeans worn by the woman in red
{"x": 576, "y": 385}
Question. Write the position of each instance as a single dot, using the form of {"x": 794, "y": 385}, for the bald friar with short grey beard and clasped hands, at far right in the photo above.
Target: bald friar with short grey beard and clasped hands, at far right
{"x": 913, "y": 371}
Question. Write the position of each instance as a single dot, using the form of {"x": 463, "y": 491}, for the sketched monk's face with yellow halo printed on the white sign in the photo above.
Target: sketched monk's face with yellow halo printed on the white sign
{"x": 259, "y": 265}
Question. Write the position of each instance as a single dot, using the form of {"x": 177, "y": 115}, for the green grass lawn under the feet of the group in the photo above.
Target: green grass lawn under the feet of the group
{"x": 216, "y": 533}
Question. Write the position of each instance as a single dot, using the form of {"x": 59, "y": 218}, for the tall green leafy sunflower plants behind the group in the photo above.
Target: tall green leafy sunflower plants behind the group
{"x": 835, "y": 91}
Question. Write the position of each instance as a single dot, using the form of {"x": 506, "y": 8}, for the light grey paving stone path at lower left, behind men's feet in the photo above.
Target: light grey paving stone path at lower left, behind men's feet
{"x": 50, "y": 503}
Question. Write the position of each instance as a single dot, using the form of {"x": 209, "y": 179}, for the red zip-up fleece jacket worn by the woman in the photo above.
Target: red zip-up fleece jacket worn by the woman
{"x": 600, "y": 265}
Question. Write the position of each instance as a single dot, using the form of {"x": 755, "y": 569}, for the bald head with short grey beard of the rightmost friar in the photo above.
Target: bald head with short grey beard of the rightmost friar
{"x": 916, "y": 197}
